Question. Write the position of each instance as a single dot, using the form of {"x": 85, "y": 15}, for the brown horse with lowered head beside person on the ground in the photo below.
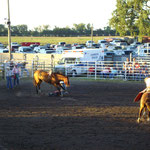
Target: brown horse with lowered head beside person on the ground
{"x": 53, "y": 78}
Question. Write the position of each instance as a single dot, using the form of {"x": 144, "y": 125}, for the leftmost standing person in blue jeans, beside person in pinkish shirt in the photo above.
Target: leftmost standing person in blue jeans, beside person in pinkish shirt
{"x": 9, "y": 78}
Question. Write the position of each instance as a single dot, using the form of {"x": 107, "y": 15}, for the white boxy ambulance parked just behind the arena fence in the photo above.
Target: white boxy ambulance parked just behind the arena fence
{"x": 77, "y": 62}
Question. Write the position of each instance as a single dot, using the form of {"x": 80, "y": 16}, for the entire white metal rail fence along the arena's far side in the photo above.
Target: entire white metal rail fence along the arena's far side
{"x": 127, "y": 70}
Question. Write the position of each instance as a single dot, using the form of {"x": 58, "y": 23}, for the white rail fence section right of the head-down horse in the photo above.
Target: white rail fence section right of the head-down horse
{"x": 129, "y": 70}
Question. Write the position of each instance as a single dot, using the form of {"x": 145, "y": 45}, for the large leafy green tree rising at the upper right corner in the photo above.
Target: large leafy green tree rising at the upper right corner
{"x": 132, "y": 16}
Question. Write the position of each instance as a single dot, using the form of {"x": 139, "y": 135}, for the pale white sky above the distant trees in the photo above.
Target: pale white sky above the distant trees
{"x": 60, "y": 13}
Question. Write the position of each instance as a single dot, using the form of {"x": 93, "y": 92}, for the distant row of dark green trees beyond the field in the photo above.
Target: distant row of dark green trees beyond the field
{"x": 77, "y": 30}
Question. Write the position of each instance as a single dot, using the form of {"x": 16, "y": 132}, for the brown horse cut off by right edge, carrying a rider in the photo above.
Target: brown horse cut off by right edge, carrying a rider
{"x": 144, "y": 105}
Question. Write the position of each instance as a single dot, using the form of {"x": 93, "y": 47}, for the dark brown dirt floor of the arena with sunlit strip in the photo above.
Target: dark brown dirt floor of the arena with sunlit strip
{"x": 95, "y": 115}
